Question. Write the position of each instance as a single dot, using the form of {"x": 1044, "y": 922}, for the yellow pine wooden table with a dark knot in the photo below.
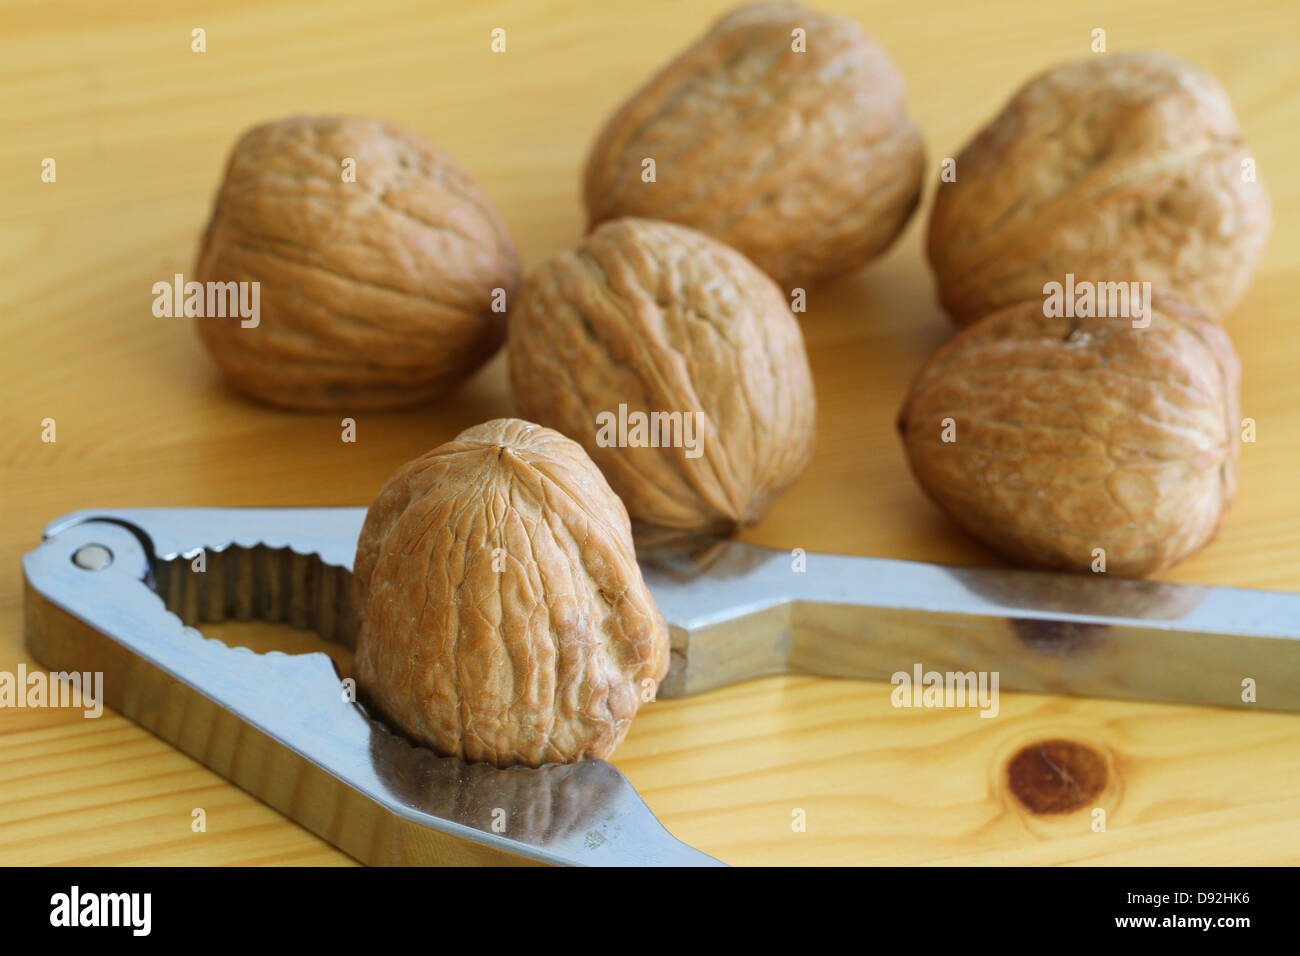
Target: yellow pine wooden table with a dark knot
{"x": 140, "y": 128}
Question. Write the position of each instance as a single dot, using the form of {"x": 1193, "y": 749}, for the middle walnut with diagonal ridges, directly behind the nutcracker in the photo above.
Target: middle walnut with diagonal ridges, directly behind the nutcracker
{"x": 679, "y": 367}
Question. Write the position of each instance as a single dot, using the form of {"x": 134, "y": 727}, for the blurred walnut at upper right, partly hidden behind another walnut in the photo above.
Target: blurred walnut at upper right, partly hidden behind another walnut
{"x": 1125, "y": 167}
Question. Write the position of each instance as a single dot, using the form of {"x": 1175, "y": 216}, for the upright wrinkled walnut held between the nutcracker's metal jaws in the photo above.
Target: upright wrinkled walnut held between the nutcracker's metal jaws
{"x": 539, "y": 663}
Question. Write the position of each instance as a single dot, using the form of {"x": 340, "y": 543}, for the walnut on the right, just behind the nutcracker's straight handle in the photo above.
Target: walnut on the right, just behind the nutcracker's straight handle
{"x": 1081, "y": 434}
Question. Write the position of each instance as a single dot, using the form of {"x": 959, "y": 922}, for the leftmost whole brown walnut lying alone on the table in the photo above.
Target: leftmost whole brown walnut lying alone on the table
{"x": 376, "y": 289}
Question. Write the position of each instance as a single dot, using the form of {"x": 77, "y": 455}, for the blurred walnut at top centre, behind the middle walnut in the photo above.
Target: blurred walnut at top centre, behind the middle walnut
{"x": 782, "y": 132}
